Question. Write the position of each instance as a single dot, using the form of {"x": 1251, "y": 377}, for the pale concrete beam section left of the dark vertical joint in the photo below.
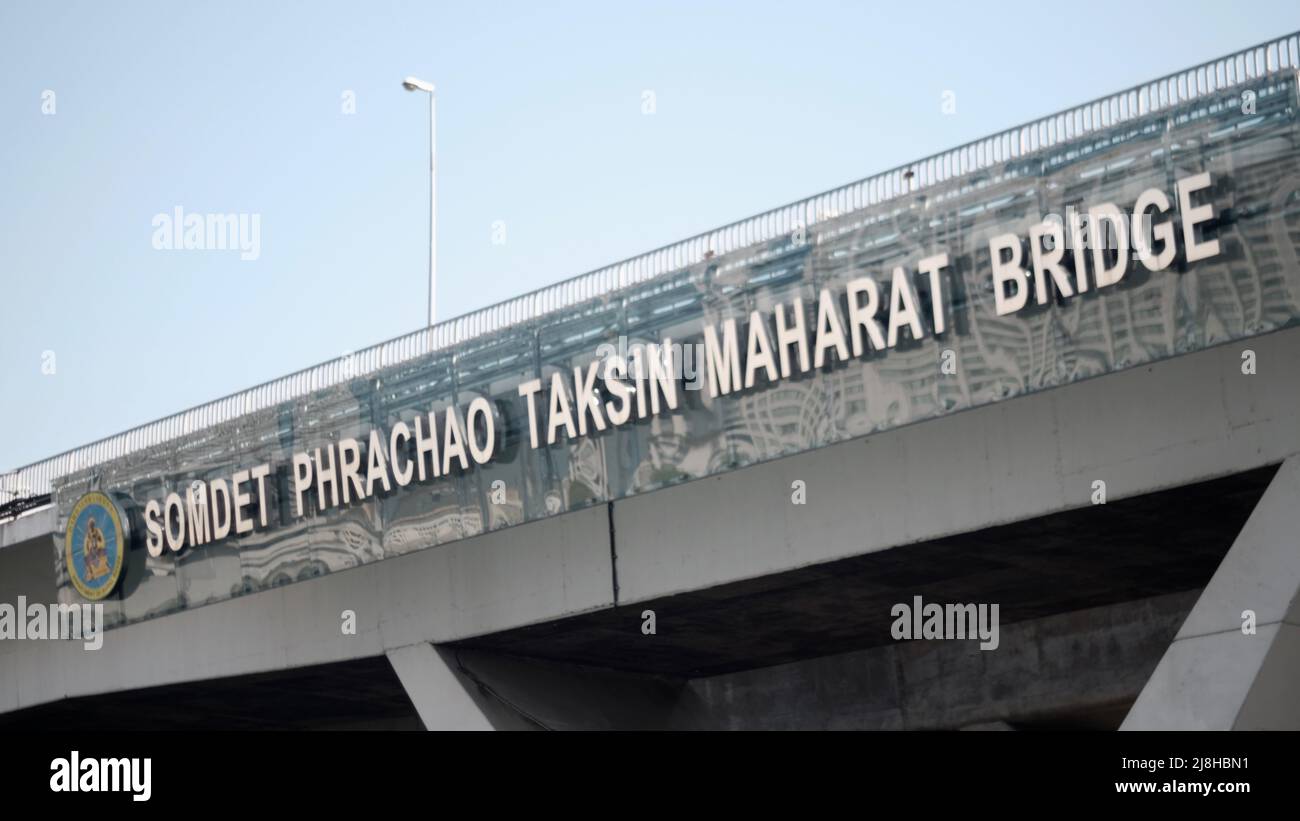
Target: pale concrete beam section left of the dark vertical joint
{"x": 500, "y": 580}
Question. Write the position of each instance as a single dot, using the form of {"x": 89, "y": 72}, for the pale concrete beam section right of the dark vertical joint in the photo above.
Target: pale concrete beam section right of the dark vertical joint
{"x": 1176, "y": 423}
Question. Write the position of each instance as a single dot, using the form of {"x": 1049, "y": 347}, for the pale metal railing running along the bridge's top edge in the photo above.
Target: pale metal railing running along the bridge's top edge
{"x": 1251, "y": 64}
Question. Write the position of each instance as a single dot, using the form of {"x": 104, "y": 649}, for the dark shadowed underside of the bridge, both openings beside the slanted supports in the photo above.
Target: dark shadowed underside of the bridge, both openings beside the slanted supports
{"x": 1090, "y": 601}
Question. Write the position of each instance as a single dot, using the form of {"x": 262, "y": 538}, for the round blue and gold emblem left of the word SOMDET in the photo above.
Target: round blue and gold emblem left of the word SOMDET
{"x": 96, "y": 545}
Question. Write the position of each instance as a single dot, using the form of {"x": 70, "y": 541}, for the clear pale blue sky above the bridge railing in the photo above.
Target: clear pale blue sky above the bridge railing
{"x": 236, "y": 107}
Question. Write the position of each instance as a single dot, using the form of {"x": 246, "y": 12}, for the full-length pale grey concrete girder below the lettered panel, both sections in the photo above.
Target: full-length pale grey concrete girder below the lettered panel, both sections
{"x": 1180, "y": 422}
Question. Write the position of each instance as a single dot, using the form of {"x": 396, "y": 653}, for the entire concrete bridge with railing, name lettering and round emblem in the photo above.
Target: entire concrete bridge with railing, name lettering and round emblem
{"x": 675, "y": 492}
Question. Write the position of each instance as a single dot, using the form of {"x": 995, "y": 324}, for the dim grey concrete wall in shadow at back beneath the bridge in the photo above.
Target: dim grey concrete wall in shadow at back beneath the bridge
{"x": 1074, "y": 671}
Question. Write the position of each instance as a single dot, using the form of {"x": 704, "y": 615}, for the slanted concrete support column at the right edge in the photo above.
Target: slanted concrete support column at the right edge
{"x": 1219, "y": 674}
